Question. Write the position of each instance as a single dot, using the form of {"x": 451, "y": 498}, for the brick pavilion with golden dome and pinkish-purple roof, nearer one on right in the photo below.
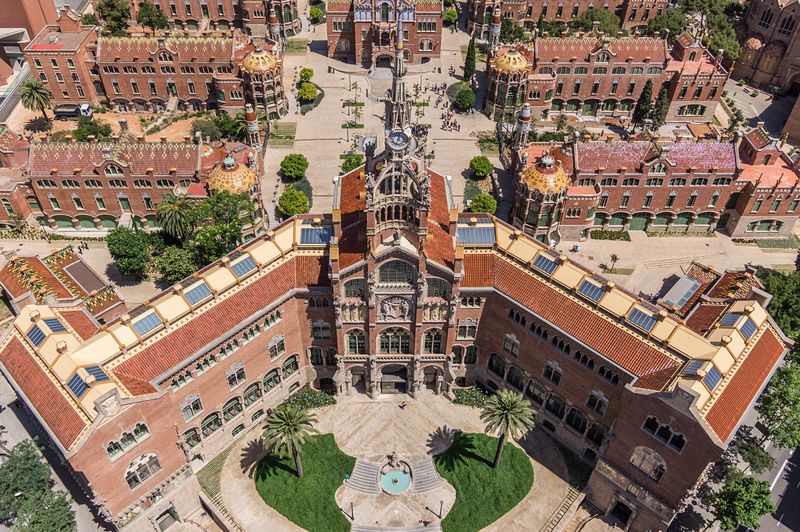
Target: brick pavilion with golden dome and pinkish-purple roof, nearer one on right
{"x": 747, "y": 188}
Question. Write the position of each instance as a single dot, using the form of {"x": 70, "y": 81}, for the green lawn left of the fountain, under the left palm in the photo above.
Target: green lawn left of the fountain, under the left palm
{"x": 308, "y": 502}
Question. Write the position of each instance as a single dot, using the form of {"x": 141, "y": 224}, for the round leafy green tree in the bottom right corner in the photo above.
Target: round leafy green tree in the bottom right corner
{"x": 742, "y": 501}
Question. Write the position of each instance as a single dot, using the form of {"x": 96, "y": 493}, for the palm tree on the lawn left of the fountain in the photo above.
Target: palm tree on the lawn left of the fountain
{"x": 287, "y": 430}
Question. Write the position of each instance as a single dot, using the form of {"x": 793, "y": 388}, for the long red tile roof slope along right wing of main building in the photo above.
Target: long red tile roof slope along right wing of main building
{"x": 616, "y": 343}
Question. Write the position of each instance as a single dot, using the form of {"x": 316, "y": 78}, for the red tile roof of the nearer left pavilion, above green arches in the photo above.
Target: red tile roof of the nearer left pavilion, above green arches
{"x": 161, "y": 157}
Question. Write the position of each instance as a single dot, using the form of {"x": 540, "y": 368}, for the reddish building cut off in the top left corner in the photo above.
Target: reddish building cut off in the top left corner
{"x": 22, "y": 20}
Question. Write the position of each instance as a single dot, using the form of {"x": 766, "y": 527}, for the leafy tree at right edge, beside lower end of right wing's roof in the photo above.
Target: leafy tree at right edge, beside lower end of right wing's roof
{"x": 779, "y": 406}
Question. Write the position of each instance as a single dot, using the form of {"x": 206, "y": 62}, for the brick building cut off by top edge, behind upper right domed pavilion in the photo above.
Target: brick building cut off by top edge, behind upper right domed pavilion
{"x": 633, "y": 14}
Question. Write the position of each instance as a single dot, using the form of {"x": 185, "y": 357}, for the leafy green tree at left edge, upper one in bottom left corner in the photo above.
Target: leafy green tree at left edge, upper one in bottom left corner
{"x": 23, "y": 474}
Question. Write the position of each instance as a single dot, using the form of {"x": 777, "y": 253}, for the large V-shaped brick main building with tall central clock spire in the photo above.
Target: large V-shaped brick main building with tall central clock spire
{"x": 394, "y": 292}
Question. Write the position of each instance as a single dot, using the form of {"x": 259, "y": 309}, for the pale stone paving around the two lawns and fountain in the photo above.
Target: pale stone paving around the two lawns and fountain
{"x": 371, "y": 430}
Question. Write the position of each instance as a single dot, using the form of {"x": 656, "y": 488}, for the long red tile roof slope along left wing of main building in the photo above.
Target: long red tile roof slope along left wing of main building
{"x": 179, "y": 344}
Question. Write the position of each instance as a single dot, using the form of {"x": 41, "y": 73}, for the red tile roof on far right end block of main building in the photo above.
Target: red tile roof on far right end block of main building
{"x": 735, "y": 399}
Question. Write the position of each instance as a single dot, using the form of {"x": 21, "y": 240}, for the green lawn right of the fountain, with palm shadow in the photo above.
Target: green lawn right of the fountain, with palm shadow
{"x": 483, "y": 494}
